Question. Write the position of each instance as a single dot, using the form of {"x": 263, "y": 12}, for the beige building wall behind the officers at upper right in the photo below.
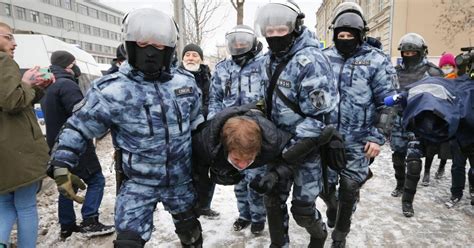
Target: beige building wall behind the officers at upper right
{"x": 446, "y": 25}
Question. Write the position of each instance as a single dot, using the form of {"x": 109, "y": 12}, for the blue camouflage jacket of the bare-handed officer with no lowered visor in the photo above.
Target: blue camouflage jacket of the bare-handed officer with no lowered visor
{"x": 363, "y": 81}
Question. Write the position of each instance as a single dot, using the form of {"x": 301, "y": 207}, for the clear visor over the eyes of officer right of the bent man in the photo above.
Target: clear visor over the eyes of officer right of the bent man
{"x": 274, "y": 20}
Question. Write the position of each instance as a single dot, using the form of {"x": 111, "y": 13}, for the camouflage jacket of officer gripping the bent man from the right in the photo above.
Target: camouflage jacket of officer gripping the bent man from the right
{"x": 307, "y": 81}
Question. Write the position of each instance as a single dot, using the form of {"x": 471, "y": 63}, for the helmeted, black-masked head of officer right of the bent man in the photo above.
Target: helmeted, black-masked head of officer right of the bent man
{"x": 280, "y": 23}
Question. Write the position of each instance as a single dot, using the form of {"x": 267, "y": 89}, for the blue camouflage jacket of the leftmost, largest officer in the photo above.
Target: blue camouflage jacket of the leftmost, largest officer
{"x": 151, "y": 122}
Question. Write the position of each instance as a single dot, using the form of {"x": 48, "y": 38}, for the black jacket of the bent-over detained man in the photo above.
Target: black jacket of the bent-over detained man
{"x": 208, "y": 149}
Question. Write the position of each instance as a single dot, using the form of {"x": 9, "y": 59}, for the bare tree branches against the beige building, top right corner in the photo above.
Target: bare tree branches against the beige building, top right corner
{"x": 455, "y": 18}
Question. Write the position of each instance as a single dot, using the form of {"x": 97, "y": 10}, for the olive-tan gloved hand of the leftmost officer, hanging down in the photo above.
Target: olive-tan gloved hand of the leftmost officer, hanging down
{"x": 67, "y": 182}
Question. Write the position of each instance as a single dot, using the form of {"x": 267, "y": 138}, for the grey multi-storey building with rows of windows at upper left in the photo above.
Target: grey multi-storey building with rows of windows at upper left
{"x": 92, "y": 26}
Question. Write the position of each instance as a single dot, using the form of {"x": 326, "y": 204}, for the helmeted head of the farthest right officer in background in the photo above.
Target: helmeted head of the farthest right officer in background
{"x": 413, "y": 49}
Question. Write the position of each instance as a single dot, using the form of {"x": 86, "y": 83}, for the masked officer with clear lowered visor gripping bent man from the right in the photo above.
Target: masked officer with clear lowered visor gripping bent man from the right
{"x": 299, "y": 92}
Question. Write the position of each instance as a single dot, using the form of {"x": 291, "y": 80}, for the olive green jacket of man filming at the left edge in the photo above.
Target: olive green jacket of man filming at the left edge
{"x": 23, "y": 149}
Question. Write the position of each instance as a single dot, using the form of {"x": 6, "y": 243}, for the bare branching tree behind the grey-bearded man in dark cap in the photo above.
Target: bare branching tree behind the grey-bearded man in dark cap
{"x": 198, "y": 14}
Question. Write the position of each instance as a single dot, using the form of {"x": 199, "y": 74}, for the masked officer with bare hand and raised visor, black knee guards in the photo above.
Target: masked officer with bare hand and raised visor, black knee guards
{"x": 366, "y": 77}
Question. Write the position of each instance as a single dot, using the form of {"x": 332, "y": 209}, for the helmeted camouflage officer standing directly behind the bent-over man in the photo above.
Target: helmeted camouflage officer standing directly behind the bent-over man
{"x": 237, "y": 81}
